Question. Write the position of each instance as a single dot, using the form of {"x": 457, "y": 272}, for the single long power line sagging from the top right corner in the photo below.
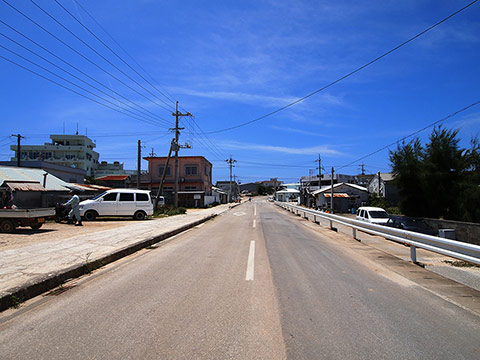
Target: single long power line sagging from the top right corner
{"x": 347, "y": 75}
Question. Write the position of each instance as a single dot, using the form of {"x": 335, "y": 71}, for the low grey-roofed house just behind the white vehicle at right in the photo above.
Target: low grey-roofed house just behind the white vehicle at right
{"x": 346, "y": 197}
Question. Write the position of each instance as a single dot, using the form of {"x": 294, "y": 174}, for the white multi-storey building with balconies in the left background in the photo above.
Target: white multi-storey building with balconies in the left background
{"x": 69, "y": 150}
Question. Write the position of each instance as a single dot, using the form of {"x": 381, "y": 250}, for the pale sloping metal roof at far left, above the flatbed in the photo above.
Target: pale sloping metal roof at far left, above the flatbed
{"x": 11, "y": 173}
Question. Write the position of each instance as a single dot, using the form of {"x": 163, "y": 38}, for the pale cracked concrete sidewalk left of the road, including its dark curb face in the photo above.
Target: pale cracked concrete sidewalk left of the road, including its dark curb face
{"x": 31, "y": 270}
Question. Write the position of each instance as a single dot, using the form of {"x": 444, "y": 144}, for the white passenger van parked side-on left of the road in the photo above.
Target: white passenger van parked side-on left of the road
{"x": 118, "y": 202}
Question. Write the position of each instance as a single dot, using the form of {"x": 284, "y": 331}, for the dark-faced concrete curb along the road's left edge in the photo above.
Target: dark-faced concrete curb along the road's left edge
{"x": 35, "y": 287}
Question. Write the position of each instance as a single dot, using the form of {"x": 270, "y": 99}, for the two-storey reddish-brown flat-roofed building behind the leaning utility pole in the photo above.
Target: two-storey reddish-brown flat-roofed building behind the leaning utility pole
{"x": 194, "y": 181}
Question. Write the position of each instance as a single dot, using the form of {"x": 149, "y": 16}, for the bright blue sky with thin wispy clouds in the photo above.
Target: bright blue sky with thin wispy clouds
{"x": 231, "y": 62}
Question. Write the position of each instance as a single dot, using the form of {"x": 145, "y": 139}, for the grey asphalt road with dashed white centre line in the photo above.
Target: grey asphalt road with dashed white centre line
{"x": 256, "y": 283}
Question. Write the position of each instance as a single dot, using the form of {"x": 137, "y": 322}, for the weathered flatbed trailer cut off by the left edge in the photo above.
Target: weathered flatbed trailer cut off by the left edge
{"x": 10, "y": 219}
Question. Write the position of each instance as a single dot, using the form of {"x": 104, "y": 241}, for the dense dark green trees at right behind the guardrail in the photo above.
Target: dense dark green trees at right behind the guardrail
{"x": 439, "y": 179}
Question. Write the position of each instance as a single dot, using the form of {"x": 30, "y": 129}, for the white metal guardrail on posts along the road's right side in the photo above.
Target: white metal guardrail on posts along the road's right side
{"x": 456, "y": 249}
